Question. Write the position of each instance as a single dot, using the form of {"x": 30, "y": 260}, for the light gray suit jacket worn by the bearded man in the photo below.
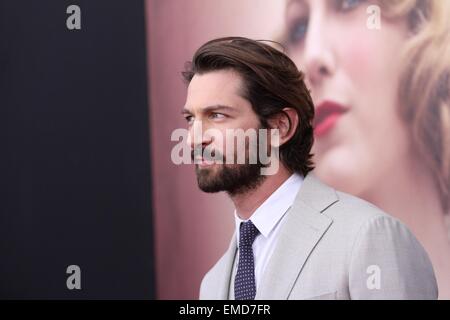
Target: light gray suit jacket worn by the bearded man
{"x": 335, "y": 246}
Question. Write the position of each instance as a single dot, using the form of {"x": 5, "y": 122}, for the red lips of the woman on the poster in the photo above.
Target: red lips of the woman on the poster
{"x": 327, "y": 115}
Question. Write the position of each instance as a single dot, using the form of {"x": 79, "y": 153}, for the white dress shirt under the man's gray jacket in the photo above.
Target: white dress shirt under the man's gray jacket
{"x": 268, "y": 219}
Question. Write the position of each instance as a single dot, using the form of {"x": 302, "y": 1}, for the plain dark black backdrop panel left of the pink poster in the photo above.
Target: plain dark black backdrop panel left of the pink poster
{"x": 74, "y": 159}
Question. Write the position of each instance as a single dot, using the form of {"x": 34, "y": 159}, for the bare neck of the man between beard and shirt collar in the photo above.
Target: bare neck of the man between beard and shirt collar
{"x": 248, "y": 202}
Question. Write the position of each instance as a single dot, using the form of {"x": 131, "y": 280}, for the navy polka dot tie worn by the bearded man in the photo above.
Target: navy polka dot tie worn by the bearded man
{"x": 244, "y": 283}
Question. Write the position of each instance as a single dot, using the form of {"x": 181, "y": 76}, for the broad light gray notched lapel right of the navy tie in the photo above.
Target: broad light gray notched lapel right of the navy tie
{"x": 301, "y": 231}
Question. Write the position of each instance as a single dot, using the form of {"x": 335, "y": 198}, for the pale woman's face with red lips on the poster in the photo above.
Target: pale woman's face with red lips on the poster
{"x": 353, "y": 73}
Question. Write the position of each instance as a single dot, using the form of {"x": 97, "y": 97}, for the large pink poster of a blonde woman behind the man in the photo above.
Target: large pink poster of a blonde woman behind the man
{"x": 378, "y": 72}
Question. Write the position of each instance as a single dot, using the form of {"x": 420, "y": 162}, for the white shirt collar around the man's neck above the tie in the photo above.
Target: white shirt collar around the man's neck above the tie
{"x": 270, "y": 212}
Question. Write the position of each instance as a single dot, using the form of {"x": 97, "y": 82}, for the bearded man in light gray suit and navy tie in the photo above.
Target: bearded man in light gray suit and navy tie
{"x": 296, "y": 238}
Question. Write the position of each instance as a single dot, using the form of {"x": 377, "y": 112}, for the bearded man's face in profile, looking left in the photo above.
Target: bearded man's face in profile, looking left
{"x": 214, "y": 108}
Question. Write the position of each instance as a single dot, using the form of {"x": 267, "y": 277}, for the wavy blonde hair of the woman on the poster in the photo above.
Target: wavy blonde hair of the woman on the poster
{"x": 425, "y": 82}
